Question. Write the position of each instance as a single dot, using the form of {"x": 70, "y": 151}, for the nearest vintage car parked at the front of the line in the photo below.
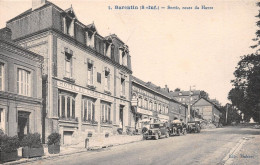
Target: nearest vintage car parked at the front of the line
{"x": 156, "y": 131}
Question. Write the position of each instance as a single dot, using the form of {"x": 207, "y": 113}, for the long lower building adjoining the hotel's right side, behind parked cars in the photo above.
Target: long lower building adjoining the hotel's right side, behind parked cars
{"x": 154, "y": 103}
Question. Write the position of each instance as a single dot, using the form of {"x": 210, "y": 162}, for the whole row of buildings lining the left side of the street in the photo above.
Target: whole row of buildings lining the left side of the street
{"x": 59, "y": 75}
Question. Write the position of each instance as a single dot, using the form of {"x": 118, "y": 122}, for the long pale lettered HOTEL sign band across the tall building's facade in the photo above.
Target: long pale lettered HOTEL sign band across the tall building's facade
{"x": 84, "y": 91}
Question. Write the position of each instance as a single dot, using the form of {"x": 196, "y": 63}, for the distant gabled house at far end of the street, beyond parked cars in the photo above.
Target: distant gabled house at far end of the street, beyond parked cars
{"x": 206, "y": 109}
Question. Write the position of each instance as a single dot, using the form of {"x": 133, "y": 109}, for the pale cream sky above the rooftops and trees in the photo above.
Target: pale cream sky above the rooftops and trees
{"x": 178, "y": 48}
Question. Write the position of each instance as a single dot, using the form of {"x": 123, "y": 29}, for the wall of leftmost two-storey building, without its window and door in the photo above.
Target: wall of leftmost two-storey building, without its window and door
{"x": 11, "y": 102}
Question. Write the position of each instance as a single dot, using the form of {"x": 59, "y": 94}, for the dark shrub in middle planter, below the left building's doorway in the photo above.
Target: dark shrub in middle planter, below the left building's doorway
{"x": 32, "y": 140}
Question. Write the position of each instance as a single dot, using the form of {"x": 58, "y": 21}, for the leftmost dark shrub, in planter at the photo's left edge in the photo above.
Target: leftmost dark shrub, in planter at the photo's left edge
{"x": 8, "y": 144}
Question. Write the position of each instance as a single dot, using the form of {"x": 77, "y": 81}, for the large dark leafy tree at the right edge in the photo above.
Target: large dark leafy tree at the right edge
{"x": 245, "y": 95}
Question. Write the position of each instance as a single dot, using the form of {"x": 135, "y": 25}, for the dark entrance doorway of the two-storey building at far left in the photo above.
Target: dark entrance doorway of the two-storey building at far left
{"x": 23, "y": 124}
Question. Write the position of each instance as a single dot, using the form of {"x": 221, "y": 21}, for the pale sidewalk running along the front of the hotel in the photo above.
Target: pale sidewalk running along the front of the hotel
{"x": 95, "y": 143}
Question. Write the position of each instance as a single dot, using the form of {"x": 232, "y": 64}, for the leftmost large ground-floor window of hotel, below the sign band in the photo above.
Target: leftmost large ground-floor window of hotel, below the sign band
{"x": 66, "y": 106}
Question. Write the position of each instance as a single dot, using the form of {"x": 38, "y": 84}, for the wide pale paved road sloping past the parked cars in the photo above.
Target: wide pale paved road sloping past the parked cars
{"x": 209, "y": 148}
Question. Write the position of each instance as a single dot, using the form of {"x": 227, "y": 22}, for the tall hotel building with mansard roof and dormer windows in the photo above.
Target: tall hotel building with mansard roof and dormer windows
{"x": 86, "y": 84}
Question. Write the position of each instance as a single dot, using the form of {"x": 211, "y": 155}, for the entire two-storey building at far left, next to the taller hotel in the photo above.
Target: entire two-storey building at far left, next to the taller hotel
{"x": 20, "y": 88}
